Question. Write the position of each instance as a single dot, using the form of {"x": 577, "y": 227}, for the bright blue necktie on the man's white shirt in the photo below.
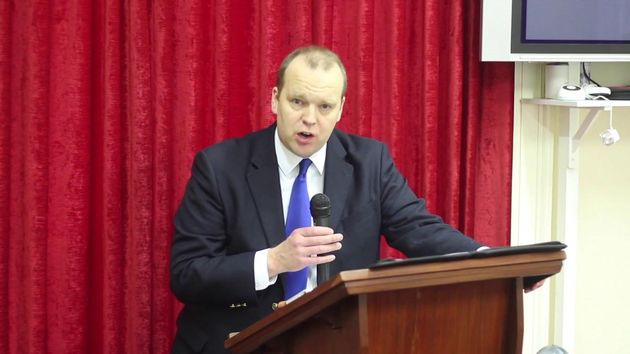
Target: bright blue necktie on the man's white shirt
{"x": 298, "y": 215}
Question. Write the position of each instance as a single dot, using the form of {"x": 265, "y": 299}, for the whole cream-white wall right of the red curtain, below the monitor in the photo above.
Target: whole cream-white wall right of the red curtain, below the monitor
{"x": 596, "y": 316}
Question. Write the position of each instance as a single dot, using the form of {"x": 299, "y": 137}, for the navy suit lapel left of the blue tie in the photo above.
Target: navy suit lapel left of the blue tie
{"x": 264, "y": 185}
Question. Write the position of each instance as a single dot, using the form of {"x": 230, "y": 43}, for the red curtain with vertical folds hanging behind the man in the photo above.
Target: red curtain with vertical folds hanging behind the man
{"x": 103, "y": 104}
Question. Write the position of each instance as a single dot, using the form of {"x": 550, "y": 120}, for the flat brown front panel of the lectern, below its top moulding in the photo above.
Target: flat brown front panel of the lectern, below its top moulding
{"x": 476, "y": 317}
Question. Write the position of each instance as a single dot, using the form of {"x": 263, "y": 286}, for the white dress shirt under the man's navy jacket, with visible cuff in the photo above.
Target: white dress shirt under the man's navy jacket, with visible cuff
{"x": 288, "y": 166}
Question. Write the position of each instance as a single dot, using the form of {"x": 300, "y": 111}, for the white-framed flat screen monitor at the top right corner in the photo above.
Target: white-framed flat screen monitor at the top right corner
{"x": 556, "y": 30}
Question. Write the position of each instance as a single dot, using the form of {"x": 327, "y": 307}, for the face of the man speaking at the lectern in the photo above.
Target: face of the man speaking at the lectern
{"x": 309, "y": 106}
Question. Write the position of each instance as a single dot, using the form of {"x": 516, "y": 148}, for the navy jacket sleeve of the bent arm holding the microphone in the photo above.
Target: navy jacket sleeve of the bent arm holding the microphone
{"x": 202, "y": 271}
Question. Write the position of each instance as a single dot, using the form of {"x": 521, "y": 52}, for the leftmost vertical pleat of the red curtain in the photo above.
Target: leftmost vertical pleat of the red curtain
{"x": 27, "y": 184}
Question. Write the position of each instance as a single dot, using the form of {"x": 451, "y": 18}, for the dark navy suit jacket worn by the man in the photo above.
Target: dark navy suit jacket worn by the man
{"x": 233, "y": 207}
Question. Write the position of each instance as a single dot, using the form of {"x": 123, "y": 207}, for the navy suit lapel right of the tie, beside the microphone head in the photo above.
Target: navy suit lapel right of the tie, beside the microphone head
{"x": 338, "y": 176}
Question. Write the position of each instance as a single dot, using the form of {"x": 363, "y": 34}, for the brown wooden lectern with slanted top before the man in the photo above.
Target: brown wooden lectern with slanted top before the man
{"x": 471, "y": 305}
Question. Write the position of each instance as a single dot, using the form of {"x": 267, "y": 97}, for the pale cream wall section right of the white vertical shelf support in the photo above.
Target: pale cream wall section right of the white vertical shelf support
{"x": 603, "y": 268}
